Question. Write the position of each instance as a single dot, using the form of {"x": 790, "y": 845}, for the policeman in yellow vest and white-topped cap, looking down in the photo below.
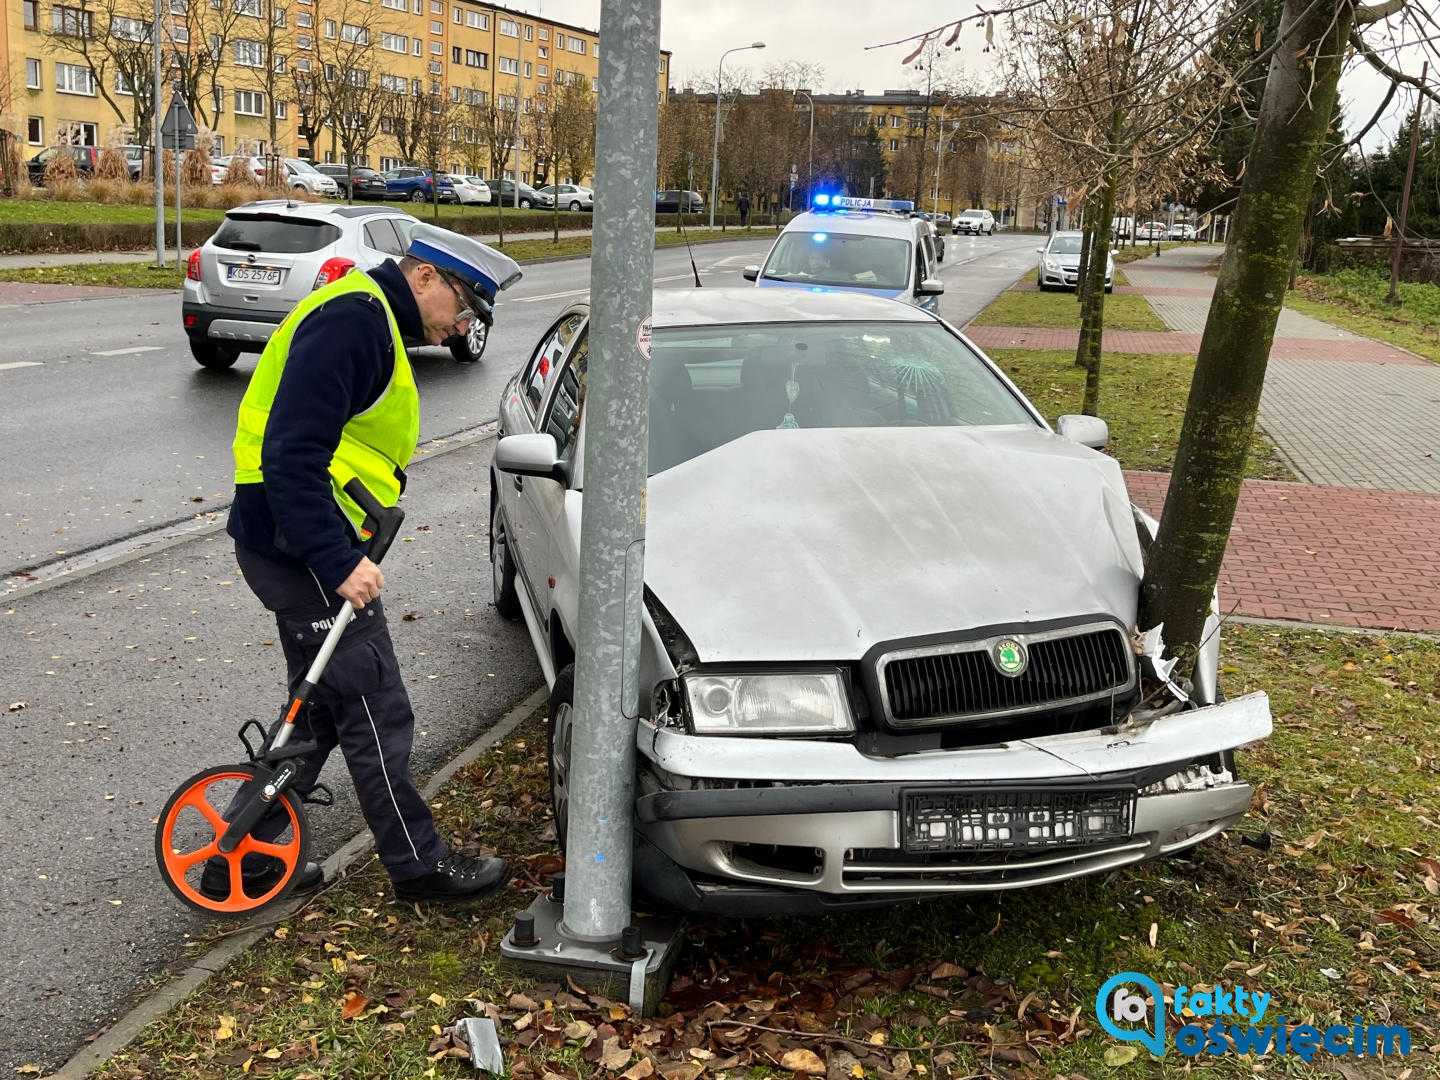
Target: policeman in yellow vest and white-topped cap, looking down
{"x": 333, "y": 398}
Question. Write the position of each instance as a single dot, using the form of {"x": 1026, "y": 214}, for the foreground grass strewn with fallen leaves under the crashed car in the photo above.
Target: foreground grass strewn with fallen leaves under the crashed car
{"x": 1324, "y": 898}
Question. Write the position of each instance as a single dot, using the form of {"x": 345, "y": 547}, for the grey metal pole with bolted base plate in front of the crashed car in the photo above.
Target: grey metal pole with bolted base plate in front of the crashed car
{"x": 590, "y": 932}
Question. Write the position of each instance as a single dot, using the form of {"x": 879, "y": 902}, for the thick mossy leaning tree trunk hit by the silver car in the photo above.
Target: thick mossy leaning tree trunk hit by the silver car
{"x": 1300, "y": 100}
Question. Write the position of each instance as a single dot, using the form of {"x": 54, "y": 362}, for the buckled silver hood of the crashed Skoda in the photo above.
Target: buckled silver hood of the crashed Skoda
{"x": 817, "y": 545}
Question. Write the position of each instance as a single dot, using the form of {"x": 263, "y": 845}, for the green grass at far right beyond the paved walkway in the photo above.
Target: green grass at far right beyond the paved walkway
{"x": 1356, "y": 300}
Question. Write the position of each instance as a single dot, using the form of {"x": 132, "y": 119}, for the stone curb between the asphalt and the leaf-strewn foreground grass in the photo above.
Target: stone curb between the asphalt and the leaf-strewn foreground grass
{"x": 158, "y": 1004}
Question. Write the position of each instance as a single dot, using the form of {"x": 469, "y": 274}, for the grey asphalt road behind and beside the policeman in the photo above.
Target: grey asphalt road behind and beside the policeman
{"x": 130, "y": 678}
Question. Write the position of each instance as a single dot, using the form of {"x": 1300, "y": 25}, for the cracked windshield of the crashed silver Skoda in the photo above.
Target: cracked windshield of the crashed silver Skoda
{"x": 712, "y": 385}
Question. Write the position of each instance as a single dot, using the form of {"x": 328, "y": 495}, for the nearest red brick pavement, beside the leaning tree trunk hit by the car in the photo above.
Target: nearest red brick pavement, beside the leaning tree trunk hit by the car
{"x": 1313, "y": 554}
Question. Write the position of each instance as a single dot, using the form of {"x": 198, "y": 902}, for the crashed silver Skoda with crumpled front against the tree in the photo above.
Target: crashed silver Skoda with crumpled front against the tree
{"x": 889, "y": 637}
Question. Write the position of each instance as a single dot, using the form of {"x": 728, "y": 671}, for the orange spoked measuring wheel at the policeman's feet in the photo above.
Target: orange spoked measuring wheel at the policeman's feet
{"x": 189, "y": 837}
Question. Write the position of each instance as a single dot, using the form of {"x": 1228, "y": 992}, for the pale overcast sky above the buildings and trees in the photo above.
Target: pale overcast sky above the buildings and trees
{"x": 836, "y": 34}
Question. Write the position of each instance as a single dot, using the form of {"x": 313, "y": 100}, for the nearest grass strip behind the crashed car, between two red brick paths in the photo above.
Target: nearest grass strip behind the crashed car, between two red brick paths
{"x": 1143, "y": 398}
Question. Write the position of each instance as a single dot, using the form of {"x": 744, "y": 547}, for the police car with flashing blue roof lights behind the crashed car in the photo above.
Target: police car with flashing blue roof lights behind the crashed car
{"x": 856, "y": 246}
